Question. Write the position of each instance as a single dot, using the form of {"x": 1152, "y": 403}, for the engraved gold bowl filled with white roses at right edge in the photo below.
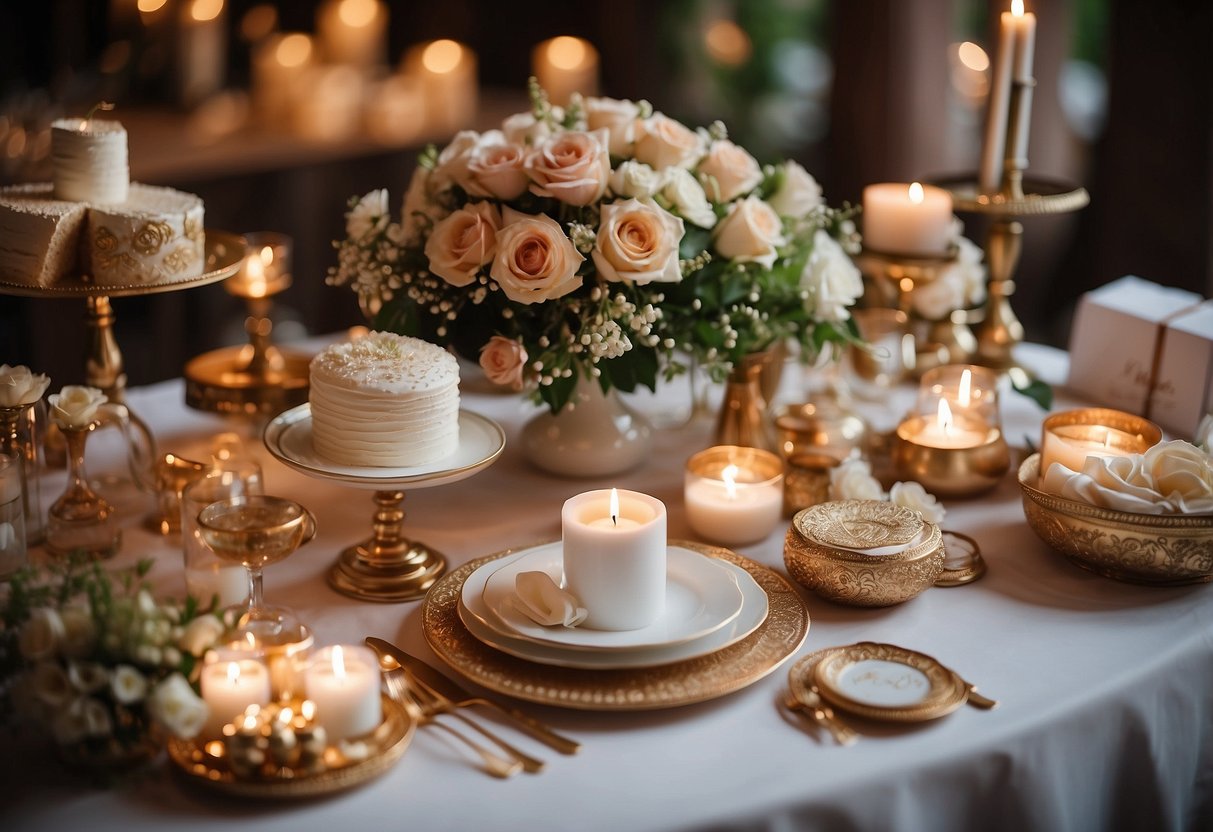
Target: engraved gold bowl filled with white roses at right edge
{"x": 1164, "y": 550}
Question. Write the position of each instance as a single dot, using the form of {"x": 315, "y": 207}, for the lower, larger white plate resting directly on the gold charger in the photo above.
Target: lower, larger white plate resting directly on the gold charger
{"x": 755, "y": 607}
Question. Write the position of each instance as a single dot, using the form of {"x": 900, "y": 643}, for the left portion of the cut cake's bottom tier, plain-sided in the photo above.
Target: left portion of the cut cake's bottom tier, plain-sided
{"x": 39, "y": 236}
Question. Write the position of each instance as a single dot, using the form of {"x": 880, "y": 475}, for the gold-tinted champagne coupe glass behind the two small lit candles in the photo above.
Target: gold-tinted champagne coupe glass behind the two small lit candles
{"x": 255, "y": 532}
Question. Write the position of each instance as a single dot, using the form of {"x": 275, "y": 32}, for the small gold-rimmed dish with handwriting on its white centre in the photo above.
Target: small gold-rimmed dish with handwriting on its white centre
{"x": 884, "y": 682}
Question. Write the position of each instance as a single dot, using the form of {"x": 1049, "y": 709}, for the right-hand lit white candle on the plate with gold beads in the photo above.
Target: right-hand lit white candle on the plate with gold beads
{"x": 344, "y": 681}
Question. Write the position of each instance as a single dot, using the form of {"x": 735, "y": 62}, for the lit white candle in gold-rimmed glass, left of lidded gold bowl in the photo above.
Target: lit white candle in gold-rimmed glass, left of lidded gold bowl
{"x": 734, "y": 506}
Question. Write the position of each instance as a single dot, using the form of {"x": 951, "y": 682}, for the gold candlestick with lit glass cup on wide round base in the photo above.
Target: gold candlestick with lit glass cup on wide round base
{"x": 255, "y": 379}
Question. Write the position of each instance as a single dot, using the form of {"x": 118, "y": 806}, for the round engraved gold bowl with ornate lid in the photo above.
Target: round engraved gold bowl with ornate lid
{"x": 815, "y": 554}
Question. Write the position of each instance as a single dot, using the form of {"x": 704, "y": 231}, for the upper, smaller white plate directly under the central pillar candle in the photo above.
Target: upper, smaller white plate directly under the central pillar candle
{"x": 702, "y": 596}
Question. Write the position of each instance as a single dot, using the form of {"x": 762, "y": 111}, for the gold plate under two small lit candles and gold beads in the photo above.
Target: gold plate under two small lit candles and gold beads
{"x": 389, "y": 744}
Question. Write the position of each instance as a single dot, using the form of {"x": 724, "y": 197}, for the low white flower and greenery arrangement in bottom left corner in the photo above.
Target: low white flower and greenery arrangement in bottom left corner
{"x": 95, "y": 659}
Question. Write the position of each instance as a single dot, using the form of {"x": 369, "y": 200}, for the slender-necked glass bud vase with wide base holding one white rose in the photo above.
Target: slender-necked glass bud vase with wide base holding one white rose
{"x": 81, "y": 521}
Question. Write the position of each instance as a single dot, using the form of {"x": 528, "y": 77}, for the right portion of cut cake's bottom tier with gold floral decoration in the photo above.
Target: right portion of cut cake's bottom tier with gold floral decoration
{"x": 155, "y": 237}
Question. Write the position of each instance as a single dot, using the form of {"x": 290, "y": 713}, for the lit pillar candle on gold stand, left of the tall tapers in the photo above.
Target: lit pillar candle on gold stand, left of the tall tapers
{"x": 908, "y": 219}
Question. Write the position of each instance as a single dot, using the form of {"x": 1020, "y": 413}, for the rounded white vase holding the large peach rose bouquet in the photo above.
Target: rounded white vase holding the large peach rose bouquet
{"x": 597, "y": 436}
